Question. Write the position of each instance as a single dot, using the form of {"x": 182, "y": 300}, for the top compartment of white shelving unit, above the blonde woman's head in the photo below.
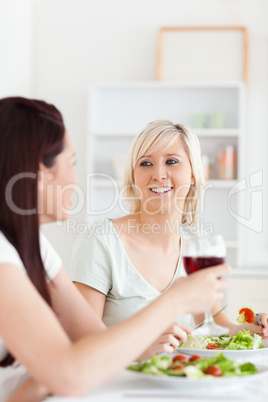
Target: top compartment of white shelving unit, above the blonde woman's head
{"x": 124, "y": 109}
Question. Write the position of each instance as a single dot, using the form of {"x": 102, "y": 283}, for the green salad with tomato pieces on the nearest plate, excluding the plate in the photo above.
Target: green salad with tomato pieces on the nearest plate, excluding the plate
{"x": 194, "y": 367}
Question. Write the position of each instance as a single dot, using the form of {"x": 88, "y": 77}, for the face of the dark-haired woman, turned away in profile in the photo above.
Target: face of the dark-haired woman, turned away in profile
{"x": 57, "y": 184}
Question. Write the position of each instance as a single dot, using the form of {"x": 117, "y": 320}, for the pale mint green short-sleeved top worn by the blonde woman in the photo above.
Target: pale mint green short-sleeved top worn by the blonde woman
{"x": 100, "y": 261}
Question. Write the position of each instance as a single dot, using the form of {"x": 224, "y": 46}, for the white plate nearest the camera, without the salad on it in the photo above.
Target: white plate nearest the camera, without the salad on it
{"x": 204, "y": 382}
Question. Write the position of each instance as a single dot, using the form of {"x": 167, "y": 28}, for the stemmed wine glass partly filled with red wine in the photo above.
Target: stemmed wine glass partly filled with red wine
{"x": 201, "y": 252}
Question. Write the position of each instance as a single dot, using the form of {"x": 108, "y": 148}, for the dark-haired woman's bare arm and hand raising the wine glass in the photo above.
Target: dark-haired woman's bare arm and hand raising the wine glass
{"x": 36, "y": 338}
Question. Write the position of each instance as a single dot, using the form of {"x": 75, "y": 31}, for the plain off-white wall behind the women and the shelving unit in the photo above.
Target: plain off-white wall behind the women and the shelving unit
{"x": 78, "y": 42}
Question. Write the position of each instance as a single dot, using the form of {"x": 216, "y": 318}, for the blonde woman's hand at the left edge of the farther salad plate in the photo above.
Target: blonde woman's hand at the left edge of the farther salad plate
{"x": 168, "y": 341}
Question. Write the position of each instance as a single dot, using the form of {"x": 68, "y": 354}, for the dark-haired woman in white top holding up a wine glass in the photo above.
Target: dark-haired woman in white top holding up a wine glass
{"x": 48, "y": 332}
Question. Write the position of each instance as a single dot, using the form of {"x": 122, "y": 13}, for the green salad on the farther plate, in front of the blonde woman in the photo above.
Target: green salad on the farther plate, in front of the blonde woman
{"x": 241, "y": 341}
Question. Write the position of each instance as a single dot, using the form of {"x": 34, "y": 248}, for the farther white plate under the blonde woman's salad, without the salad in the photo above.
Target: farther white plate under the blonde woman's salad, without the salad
{"x": 230, "y": 354}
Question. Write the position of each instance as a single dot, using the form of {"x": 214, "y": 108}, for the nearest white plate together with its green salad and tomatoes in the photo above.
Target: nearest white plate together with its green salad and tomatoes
{"x": 196, "y": 372}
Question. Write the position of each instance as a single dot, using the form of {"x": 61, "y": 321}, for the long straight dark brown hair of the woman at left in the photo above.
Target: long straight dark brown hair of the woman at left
{"x": 31, "y": 132}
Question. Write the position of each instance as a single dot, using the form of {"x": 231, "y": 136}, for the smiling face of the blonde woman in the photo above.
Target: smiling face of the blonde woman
{"x": 163, "y": 179}
